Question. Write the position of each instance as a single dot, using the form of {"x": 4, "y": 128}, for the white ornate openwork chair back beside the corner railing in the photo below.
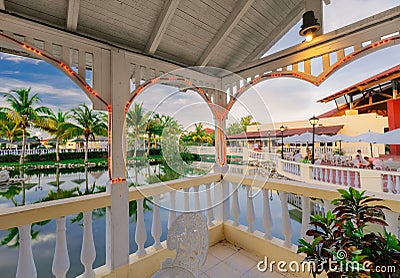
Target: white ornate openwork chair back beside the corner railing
{"x": 188, "y": 235}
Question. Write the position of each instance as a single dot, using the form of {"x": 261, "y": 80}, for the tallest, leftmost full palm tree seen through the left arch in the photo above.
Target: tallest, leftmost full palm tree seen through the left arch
{"x": 25, "y": 114}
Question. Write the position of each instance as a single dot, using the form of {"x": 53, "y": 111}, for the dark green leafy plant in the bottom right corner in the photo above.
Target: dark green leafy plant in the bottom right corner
{"x": 341, "y": 246}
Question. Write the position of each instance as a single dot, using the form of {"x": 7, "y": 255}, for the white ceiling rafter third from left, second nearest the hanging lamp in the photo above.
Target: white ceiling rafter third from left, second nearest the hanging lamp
{"x": 224, "y": 31}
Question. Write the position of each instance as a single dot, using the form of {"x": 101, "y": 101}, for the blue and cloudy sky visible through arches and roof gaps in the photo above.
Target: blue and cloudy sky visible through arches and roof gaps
{"x": 276, "y": 100}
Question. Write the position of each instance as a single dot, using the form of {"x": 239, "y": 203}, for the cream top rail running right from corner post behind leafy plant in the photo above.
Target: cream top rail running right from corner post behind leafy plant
{"x": 320, "y": 191}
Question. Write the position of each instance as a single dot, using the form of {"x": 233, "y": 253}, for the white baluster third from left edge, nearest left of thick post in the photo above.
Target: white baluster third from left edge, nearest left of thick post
{"x": 88, "y": 253}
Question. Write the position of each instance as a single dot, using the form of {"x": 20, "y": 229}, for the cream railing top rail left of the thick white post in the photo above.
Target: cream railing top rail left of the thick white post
{"x": 31, "y": 213}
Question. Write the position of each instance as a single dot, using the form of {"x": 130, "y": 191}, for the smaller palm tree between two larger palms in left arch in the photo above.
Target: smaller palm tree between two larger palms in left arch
{"x": 61, "y": 129}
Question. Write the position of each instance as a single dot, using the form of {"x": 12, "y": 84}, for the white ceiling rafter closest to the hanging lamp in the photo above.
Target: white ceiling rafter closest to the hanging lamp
{"x": 286, "y": 24}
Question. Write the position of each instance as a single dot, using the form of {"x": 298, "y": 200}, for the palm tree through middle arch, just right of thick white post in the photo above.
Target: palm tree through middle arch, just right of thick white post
{"x": 137, "y": 119}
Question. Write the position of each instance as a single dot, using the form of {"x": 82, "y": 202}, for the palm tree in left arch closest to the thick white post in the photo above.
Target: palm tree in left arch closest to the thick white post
{"x": 89, "y": 124}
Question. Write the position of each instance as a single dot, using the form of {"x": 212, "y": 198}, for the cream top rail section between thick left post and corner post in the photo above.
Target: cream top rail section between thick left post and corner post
{"x": 140, "y": 192}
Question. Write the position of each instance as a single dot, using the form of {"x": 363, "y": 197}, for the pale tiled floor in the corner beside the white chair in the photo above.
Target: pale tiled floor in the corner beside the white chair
{"x": 227, "y": 260}
